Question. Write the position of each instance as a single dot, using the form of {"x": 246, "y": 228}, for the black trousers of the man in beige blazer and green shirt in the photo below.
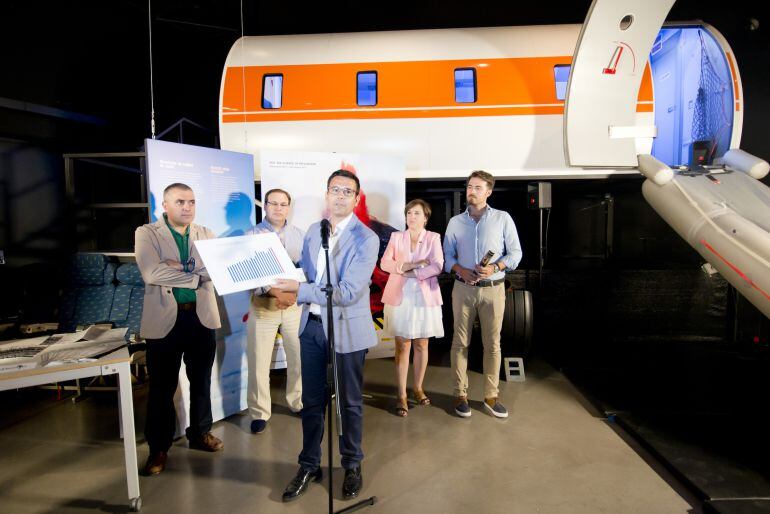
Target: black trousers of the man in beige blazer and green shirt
{"x": 196, "y": 344}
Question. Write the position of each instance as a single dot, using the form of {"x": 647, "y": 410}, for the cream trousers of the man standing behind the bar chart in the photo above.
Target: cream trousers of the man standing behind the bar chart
{"x": 265, "y": 320}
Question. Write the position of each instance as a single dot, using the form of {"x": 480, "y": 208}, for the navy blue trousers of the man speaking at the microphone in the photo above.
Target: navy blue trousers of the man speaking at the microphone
{"x": 350, "y": 371}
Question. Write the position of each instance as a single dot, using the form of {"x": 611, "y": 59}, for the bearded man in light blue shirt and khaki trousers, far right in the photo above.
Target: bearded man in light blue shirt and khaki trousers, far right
{"x": 479, "y": 287}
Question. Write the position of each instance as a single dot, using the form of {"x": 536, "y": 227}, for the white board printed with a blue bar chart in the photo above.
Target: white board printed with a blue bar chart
{"x": 246, "y": 262}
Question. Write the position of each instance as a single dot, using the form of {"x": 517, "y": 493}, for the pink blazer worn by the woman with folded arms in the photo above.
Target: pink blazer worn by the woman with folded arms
{"x": 397, "y": 253}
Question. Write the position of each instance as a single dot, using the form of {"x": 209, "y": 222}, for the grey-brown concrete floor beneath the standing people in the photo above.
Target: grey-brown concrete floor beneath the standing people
{"x": 552, "y": 455}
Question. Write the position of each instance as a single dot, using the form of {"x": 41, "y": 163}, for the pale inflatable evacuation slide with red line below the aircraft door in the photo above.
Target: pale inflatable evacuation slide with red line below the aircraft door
{"x": 724, "y": 215}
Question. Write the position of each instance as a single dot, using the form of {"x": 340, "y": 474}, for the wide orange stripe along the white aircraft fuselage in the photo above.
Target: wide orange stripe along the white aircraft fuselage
{"x": 415, "y": 89}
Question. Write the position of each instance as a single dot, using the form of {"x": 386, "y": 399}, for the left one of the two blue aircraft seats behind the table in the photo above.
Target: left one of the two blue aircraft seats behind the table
{"x": 88, "y": 297}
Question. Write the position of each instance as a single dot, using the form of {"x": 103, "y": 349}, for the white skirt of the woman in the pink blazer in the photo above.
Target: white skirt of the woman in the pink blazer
{"x": 413, "y": 319}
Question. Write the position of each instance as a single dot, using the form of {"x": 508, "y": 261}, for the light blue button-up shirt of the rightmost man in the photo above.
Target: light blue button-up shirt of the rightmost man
{"x": 466, "y": 242}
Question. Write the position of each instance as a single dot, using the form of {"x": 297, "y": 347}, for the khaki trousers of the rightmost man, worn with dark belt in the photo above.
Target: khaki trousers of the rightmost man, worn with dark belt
{"x": 489, "y": 304}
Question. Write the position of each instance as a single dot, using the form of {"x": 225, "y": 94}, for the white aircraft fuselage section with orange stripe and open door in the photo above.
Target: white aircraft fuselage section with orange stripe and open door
{"x": 521, "y": 102}
